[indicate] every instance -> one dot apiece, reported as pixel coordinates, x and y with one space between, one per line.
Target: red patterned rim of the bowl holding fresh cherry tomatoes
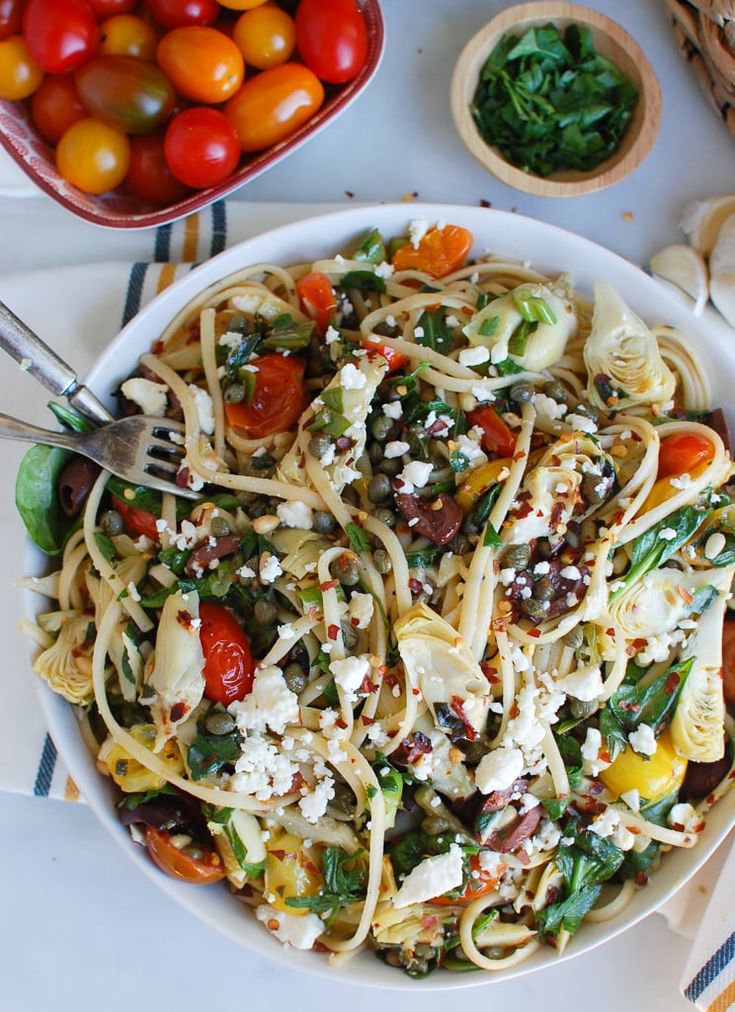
262 162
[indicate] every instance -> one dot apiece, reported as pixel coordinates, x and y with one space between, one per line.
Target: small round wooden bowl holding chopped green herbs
612 42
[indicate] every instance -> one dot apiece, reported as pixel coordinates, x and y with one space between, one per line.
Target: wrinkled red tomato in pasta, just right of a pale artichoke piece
229 666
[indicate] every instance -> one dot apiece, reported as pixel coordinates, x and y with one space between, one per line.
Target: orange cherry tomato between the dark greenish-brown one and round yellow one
204 65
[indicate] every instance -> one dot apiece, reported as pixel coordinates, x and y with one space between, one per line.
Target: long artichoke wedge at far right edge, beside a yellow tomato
698 729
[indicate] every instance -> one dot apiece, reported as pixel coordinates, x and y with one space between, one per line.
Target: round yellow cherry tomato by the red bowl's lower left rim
94 157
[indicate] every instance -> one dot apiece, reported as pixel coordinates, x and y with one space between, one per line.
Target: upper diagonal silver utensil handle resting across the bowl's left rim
45 366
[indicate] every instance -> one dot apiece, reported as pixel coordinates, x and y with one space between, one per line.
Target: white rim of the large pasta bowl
59 714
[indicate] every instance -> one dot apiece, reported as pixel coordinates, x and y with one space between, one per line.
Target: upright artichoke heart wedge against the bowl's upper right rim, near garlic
623 351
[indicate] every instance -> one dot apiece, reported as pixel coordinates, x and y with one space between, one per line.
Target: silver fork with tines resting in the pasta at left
138 450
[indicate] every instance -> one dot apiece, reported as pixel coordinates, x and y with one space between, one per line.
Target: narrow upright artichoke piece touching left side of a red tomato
177 679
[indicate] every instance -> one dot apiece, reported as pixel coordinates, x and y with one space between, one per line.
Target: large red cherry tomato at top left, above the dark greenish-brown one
61 34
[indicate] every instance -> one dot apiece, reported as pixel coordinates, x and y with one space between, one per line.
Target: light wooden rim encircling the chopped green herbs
608 174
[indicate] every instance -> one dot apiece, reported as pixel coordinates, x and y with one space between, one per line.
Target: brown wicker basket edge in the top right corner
705 33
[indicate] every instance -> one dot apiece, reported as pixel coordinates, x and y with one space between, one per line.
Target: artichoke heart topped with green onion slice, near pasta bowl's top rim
498 323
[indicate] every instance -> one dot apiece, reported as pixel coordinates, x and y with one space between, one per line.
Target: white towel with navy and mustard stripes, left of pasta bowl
85 285
